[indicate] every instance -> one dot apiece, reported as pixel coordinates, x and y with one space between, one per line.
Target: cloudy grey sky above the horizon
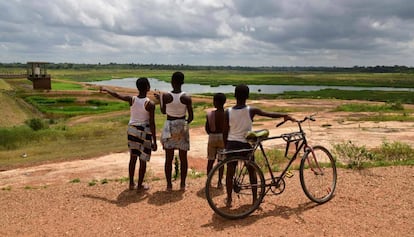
341 33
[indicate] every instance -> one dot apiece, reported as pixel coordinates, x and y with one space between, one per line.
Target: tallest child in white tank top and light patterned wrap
175 135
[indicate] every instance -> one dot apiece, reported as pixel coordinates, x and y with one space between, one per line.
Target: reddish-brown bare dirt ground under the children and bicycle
41 201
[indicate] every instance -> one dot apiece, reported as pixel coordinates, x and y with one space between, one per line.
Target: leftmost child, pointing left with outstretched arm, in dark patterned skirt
141 130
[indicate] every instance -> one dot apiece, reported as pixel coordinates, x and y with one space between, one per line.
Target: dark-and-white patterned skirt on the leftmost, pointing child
139 141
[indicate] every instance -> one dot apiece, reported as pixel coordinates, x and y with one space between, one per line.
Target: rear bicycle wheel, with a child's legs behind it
239 191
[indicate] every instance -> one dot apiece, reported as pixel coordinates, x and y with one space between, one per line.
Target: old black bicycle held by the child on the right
245 189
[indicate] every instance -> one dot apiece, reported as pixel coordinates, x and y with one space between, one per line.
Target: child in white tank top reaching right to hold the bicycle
238 121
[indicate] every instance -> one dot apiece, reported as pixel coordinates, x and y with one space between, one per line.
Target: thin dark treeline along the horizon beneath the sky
355 69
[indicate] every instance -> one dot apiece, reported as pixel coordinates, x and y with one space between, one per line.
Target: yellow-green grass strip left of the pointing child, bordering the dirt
59 143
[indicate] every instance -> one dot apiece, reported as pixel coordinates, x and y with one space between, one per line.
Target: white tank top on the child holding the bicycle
240 123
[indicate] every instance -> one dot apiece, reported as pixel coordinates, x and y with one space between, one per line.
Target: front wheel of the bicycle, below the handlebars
318 174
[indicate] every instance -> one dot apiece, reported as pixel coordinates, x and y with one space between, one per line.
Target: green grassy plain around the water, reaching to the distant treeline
74 120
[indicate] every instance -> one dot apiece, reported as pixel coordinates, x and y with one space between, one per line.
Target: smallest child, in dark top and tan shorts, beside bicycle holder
214 128
